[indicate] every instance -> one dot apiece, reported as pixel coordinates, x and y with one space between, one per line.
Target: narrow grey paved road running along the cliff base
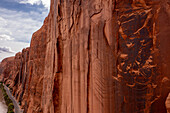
16 105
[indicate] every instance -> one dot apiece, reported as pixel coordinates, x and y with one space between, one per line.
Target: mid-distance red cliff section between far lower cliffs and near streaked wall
32 97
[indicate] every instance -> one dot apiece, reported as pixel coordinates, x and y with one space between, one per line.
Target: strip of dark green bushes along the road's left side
7 100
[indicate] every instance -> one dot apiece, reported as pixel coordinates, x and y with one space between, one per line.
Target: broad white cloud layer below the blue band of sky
16 29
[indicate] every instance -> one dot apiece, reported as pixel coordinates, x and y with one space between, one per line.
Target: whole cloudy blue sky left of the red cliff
19 19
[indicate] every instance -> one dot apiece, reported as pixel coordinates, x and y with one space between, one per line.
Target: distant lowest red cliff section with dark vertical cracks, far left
14 72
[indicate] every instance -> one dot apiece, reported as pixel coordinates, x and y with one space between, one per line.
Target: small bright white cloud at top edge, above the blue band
46 3
